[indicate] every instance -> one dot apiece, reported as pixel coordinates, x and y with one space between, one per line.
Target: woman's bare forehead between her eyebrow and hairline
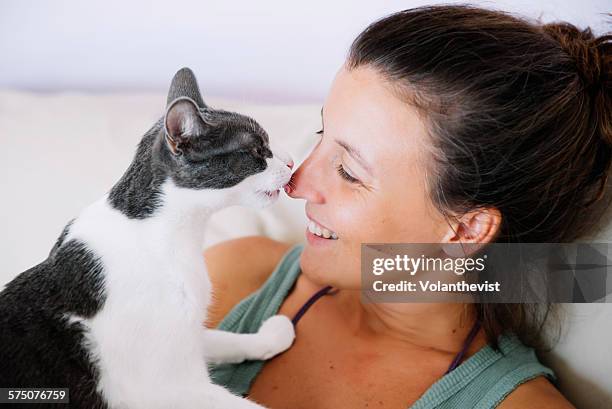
362 110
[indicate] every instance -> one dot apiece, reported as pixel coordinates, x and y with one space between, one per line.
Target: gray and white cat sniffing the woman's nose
116 311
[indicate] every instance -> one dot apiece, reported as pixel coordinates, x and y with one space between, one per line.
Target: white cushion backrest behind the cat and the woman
61 152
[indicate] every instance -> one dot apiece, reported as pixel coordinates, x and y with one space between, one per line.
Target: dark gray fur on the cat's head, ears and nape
198 147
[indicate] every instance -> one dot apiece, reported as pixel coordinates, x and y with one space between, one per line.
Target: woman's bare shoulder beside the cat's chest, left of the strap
237 268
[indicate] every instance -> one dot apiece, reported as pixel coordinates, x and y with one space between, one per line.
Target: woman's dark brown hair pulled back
520 119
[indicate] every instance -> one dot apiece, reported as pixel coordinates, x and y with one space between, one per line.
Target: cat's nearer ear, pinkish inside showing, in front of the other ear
182 123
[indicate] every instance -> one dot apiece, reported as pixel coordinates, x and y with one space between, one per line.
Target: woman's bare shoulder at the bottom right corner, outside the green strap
537 393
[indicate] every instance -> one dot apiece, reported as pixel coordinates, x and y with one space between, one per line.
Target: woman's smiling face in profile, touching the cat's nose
364 181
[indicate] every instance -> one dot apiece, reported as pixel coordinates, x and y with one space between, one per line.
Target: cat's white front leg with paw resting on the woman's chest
274 336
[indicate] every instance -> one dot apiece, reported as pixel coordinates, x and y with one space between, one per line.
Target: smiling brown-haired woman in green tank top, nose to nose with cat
446 124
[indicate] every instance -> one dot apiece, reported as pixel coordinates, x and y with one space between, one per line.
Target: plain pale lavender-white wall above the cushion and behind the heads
251 50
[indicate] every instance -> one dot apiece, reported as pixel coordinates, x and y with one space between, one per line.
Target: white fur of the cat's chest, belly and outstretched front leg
148 340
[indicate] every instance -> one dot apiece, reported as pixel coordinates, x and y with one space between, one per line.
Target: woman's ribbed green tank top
482 381
